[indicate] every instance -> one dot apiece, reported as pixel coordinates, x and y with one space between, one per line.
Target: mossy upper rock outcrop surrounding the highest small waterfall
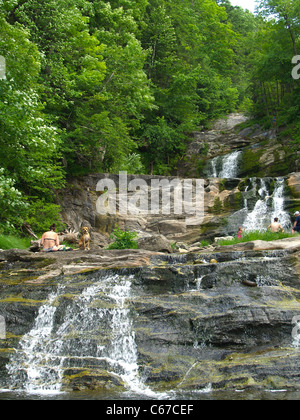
263 153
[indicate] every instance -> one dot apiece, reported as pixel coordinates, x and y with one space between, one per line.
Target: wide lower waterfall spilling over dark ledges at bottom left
95 326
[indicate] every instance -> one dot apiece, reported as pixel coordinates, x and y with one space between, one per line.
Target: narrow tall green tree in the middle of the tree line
125 89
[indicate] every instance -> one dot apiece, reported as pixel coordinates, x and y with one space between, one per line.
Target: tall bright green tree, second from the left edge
72 72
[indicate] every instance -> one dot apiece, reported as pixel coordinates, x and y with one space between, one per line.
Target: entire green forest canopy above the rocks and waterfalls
101 86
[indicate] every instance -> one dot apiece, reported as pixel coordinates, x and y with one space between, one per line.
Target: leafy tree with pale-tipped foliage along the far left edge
29 143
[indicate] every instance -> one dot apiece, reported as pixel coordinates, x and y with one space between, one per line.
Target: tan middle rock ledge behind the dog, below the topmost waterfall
223 205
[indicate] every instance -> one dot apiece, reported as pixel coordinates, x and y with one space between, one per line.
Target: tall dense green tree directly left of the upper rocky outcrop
189 64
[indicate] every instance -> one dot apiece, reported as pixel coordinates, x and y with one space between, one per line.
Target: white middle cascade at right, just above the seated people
267 208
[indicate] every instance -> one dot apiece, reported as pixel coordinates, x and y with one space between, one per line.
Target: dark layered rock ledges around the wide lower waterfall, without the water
196 324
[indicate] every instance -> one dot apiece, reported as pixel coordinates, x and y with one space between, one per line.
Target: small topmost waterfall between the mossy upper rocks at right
225 166
